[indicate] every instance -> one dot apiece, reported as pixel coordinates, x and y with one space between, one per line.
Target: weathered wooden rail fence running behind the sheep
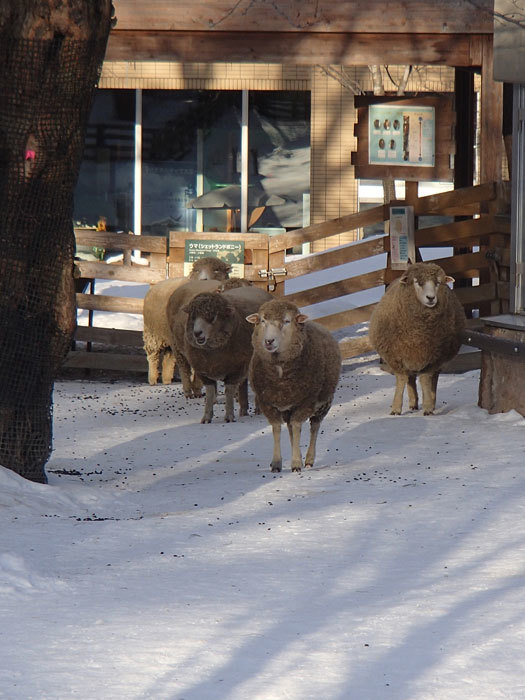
478 234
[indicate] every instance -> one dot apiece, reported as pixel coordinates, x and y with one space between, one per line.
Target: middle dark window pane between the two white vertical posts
189 137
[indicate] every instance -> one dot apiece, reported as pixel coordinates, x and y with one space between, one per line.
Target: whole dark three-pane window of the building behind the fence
191 145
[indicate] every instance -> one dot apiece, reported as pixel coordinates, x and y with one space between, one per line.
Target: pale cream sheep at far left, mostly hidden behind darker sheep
156 335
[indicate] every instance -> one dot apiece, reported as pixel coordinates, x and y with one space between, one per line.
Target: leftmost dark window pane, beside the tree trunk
105 183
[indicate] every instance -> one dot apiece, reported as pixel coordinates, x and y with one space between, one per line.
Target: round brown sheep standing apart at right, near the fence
415 328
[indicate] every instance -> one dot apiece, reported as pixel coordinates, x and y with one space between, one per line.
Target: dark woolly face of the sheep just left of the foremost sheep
210 321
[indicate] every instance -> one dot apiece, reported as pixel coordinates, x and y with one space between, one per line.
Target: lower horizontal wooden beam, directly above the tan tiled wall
291 48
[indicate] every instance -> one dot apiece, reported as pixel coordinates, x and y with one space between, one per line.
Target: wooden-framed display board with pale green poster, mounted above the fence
404 138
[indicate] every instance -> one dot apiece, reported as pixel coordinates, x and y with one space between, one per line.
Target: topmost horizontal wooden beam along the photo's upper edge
307 16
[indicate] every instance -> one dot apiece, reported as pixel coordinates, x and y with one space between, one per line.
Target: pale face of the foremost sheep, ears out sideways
278 328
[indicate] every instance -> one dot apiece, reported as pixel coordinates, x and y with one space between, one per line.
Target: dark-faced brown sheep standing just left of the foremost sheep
210 335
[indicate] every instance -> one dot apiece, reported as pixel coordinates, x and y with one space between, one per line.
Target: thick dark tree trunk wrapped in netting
50 58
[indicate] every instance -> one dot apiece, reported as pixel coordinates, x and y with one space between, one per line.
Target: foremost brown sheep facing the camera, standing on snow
294 371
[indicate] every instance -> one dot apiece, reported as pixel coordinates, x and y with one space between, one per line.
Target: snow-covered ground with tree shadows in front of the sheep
165 561
